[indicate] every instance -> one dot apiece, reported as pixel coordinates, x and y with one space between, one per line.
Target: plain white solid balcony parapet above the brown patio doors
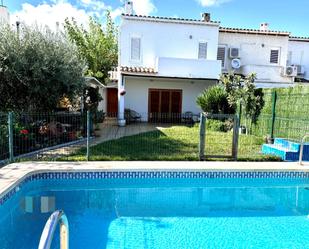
188 68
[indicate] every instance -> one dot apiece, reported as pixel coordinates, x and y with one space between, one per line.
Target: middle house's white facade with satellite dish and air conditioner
261 51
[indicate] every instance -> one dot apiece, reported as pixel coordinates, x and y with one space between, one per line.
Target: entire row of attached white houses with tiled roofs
165 63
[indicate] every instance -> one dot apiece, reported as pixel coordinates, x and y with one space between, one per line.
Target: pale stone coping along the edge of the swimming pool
12 175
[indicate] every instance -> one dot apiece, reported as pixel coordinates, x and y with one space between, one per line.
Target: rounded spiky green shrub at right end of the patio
214 100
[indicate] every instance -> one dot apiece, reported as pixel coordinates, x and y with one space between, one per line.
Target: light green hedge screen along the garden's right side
292 114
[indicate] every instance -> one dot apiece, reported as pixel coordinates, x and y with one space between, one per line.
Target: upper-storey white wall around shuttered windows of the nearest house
165 39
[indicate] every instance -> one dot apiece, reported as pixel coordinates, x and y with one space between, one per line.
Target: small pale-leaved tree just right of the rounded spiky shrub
243 92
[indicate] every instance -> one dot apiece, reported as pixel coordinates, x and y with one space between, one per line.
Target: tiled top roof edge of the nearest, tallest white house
170 19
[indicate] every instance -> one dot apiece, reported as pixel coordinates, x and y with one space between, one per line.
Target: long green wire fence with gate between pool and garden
74 137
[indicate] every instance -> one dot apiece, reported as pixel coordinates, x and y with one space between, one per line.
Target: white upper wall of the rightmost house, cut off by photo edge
300 55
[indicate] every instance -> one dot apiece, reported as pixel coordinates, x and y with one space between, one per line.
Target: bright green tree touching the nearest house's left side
96 45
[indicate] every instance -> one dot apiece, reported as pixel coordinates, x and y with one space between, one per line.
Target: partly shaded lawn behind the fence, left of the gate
154 145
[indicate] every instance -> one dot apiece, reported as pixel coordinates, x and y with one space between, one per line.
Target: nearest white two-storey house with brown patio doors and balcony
164 64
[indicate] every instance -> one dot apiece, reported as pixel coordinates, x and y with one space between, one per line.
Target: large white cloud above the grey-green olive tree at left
50 14
